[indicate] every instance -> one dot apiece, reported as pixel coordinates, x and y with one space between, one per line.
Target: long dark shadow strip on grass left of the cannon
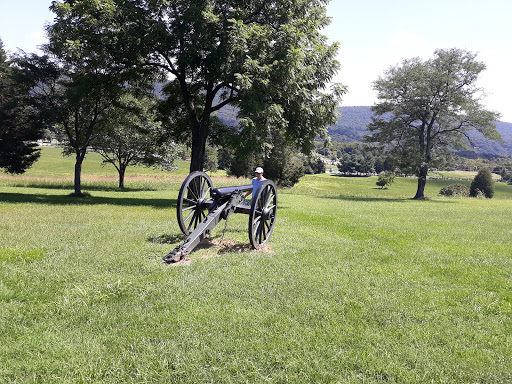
88 200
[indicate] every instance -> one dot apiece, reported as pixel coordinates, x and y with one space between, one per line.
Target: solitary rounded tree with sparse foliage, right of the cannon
426 107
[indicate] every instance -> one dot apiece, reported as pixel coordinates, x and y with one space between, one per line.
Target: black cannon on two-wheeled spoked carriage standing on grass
201 207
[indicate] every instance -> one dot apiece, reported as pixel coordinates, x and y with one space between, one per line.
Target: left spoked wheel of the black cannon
193 201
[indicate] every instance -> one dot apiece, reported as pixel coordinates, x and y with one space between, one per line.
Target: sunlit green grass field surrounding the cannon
358 284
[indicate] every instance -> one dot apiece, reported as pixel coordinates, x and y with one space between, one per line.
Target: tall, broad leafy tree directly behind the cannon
265 57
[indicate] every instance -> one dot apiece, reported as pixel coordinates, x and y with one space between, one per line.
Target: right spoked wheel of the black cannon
263 214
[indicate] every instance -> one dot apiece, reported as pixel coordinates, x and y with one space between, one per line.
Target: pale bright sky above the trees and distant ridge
373 35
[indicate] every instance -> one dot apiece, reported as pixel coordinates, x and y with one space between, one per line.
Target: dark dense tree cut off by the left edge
18 132
